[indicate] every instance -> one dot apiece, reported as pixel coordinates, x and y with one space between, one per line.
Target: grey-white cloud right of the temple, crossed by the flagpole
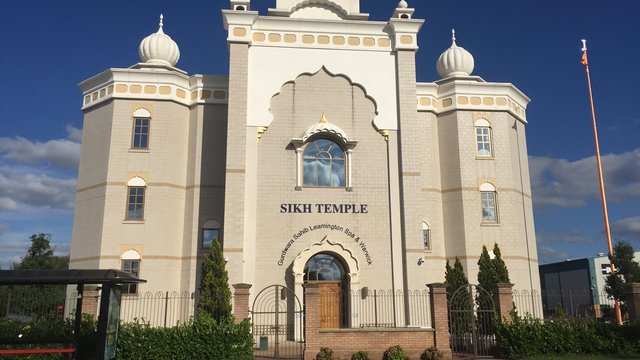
563 183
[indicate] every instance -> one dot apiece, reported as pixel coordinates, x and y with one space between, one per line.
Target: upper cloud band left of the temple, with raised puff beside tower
61 153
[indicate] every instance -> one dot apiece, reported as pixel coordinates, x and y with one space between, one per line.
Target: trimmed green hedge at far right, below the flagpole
527 337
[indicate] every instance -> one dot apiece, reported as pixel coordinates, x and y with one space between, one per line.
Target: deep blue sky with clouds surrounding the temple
50 46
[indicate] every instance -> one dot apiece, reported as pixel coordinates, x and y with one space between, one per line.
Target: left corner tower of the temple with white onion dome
144 169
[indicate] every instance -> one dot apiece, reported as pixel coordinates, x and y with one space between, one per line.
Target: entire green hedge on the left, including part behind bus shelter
202 338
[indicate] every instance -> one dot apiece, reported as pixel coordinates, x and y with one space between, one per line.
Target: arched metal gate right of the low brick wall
471 314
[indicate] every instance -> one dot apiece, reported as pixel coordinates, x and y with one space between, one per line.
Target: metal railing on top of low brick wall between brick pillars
367 308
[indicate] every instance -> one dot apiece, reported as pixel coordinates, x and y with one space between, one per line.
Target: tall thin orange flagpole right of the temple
603 195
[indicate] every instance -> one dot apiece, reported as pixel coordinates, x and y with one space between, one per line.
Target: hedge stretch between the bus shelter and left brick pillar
203 338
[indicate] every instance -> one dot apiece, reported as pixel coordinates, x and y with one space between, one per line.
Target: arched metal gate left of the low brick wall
277 324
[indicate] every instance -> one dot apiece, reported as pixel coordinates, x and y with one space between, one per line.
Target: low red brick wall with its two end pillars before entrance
344 342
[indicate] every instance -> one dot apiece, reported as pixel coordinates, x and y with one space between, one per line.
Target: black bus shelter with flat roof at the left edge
111 281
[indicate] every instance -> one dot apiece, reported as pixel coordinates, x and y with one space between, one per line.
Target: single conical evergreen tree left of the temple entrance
215 295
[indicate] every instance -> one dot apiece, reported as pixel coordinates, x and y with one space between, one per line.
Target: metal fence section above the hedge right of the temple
572 304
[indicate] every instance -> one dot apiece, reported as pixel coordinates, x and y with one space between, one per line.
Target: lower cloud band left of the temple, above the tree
17 190
